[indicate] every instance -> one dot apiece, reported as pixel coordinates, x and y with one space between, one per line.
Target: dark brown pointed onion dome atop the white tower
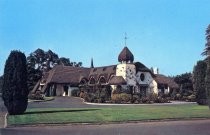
125 55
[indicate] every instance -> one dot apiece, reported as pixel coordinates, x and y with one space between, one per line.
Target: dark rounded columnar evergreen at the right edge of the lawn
199 74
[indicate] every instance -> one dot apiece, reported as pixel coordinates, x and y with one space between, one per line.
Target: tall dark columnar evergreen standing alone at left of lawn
15 90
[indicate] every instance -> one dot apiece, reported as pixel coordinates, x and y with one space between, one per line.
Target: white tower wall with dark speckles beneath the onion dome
128 72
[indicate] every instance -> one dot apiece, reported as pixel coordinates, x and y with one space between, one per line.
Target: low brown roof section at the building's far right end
161 79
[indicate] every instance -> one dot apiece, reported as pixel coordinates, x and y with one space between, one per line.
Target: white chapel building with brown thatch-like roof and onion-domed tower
127 75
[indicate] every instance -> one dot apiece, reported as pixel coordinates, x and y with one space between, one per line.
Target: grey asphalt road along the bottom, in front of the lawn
196 127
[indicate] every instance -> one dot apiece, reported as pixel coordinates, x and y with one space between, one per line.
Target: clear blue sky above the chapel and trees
168 34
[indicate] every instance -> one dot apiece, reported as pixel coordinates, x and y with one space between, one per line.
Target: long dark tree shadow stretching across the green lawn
56 111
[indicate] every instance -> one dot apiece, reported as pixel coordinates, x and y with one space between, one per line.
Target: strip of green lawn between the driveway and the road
111 114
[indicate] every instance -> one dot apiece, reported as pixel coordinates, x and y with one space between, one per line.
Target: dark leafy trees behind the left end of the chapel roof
41 61
